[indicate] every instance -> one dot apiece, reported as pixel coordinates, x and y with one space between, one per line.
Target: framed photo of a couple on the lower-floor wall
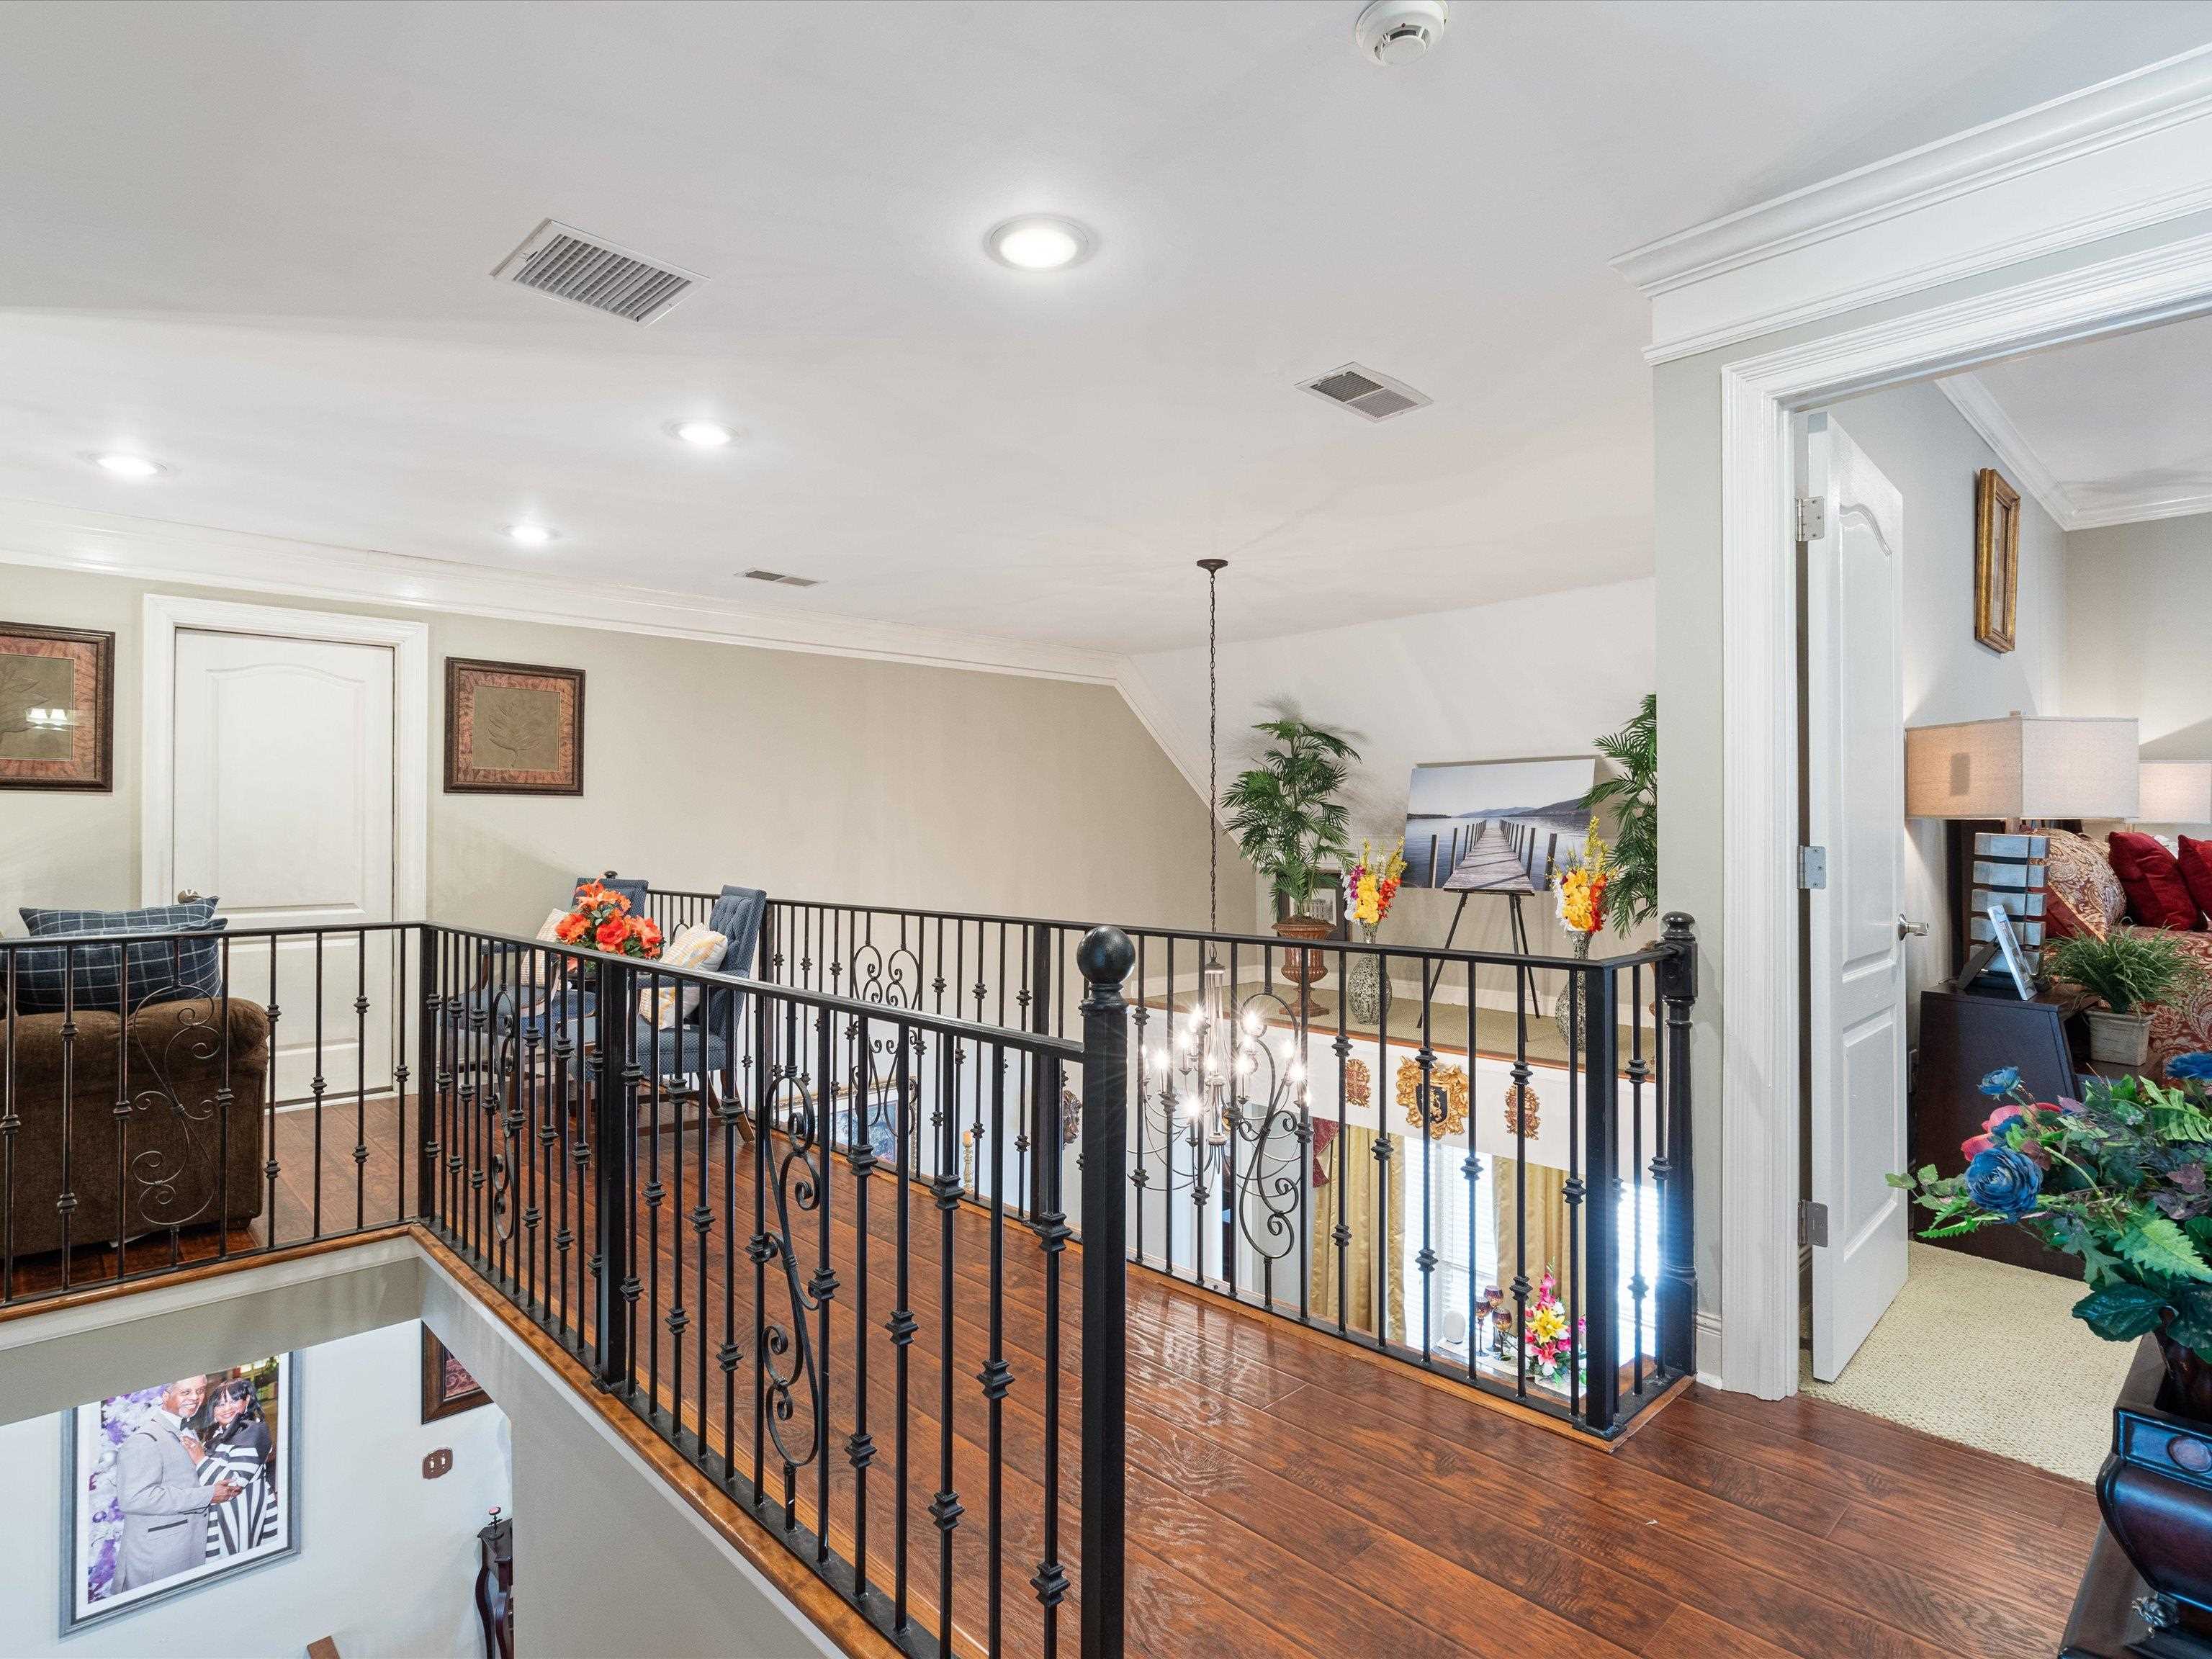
178 1485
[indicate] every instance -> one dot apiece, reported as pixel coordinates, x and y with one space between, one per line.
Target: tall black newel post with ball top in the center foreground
1105 961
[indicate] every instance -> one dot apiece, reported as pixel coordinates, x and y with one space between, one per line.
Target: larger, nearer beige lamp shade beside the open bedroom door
2023 769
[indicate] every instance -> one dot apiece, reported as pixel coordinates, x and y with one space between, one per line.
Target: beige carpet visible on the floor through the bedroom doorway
1987 1355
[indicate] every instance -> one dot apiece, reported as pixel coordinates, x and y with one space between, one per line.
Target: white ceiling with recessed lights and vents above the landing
253 242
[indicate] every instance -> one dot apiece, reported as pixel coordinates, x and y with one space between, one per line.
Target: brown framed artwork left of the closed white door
56 709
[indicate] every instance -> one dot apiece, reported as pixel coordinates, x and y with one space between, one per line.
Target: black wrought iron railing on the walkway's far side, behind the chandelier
1477 1162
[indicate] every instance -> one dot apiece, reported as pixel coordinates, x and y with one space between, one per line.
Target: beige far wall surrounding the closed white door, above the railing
808 775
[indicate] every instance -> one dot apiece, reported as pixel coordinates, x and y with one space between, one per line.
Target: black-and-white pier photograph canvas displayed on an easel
1494 826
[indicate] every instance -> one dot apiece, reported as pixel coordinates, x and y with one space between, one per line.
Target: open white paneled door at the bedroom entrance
1855 764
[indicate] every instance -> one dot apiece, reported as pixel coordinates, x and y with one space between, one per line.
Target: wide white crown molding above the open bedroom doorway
2114 158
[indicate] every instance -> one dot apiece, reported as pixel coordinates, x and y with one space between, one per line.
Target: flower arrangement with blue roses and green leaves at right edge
2118 1180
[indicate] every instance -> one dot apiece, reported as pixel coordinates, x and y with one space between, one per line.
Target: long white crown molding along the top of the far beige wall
65 539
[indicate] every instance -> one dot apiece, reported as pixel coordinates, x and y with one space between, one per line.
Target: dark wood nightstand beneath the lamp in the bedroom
1963 1039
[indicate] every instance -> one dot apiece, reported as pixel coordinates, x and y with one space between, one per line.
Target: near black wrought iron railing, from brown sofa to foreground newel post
775 1224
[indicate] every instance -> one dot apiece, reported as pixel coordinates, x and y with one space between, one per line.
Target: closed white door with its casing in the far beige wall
284 775
